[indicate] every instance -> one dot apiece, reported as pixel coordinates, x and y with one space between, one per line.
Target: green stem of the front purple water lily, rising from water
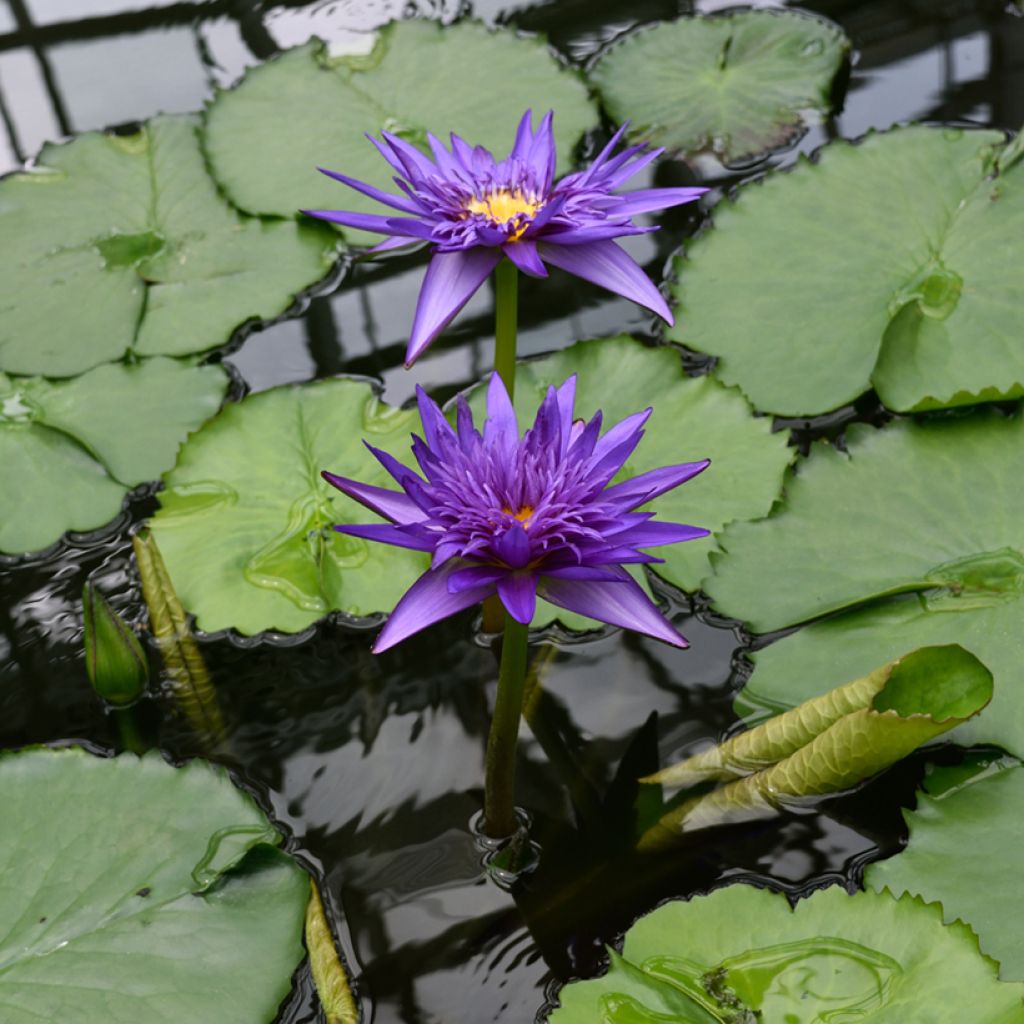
499 784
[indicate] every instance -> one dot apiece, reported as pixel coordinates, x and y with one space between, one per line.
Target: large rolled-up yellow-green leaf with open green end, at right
830 744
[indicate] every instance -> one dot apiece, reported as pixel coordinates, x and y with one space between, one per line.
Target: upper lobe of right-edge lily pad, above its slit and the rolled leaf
925 507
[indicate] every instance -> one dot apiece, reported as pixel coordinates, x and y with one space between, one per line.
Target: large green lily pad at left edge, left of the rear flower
120 244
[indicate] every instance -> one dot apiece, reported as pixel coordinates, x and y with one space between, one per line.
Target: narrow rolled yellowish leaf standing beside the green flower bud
190 682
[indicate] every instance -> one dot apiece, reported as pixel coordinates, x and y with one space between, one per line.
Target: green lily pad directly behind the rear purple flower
420 77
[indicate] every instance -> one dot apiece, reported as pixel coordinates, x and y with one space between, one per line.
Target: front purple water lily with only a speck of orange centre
523 518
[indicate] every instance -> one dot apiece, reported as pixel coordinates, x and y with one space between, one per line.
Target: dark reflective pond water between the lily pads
374 765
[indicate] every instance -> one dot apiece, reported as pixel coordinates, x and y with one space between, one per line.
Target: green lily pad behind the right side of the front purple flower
695 418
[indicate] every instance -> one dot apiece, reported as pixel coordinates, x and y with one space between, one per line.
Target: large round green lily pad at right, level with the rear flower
894 277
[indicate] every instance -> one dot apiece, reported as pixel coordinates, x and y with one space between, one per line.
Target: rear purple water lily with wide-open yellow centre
475 209
